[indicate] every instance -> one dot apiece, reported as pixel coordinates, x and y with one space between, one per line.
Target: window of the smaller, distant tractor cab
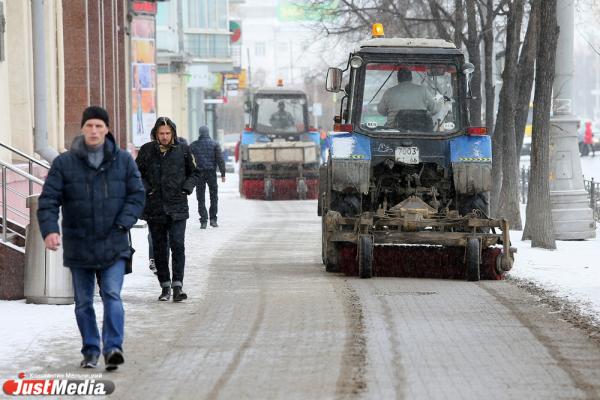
280 115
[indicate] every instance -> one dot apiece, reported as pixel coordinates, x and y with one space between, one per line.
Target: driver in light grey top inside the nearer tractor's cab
408 105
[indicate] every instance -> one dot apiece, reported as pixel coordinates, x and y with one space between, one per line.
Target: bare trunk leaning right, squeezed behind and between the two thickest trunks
526 71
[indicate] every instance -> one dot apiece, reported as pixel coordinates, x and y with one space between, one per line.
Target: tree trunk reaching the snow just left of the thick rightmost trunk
508 201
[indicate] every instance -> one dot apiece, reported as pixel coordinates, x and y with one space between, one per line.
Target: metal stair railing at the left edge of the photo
5 189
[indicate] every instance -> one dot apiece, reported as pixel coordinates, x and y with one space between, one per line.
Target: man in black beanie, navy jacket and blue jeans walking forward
99 189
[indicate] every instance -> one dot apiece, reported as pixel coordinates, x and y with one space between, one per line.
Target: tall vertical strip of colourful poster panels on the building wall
143 78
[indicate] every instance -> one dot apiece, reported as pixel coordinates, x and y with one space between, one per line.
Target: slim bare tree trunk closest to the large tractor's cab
472 43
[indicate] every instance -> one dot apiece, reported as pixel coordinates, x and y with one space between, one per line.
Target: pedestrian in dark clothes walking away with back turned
208 156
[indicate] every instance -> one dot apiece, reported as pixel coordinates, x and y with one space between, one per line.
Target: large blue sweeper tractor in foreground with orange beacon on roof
406 186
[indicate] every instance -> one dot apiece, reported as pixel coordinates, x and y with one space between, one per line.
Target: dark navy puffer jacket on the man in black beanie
98 205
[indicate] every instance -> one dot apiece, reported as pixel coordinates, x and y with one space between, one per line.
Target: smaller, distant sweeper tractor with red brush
279 152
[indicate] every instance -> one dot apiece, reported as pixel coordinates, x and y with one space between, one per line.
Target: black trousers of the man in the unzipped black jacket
171 233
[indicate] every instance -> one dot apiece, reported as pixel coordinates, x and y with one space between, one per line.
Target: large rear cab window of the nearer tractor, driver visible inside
410 98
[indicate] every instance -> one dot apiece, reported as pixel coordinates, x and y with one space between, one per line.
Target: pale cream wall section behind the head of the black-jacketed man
172 102
